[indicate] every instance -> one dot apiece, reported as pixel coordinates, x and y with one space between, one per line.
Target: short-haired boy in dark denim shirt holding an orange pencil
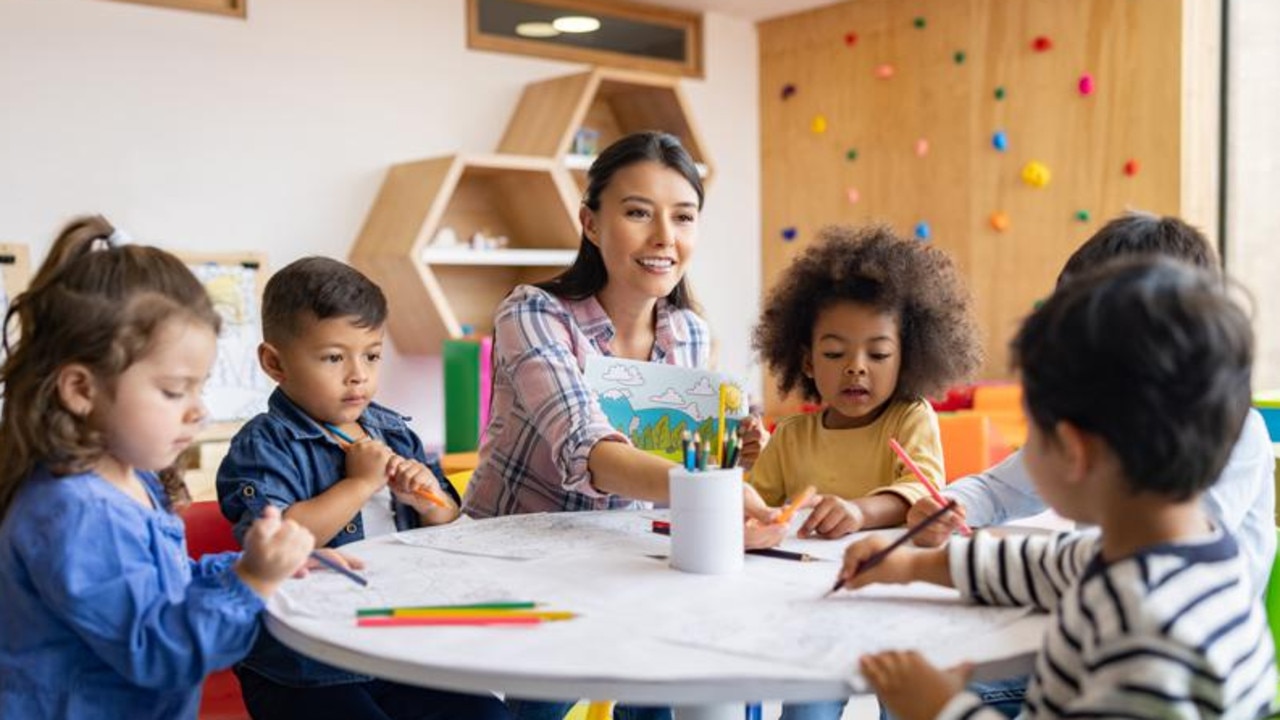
323 343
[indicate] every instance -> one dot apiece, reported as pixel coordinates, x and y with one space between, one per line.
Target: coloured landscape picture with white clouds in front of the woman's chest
655 404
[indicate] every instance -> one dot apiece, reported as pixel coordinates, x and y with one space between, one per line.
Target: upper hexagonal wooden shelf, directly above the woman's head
611 102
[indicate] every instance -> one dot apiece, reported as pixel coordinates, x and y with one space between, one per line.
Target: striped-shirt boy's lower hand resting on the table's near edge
909 687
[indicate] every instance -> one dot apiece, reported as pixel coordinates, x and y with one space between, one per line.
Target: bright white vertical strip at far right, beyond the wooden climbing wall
1254 172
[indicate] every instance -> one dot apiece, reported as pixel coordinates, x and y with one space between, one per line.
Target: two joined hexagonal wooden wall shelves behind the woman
531 193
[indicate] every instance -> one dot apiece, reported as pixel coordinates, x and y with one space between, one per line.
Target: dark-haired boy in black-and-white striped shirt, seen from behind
1137 382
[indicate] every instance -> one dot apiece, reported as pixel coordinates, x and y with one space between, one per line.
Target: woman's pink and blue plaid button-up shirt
545 421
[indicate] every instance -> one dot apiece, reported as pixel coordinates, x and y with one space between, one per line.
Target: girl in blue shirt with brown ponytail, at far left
104 616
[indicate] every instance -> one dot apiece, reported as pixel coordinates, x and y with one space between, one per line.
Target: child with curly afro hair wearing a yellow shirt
868 325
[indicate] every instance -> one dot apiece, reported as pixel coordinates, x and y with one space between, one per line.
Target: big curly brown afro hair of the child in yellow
913 281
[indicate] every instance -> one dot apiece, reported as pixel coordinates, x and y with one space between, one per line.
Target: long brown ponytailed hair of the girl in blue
97 304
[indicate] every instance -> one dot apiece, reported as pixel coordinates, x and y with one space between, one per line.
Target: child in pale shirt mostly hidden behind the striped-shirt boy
1242 500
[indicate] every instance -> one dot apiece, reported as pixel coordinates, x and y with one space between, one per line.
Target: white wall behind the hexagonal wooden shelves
200 133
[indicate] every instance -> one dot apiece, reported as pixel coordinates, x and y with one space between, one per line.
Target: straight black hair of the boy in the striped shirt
1151 356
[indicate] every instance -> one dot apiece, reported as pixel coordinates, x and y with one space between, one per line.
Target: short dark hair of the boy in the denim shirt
323 289
